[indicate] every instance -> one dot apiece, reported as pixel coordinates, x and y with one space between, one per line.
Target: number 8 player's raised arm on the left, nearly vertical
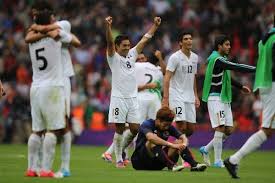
109 37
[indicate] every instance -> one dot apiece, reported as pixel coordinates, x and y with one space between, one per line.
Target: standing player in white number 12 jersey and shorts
180 90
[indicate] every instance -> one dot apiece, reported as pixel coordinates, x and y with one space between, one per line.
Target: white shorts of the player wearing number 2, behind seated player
149 104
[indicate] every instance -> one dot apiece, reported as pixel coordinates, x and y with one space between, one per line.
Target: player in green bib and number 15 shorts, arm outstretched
217 93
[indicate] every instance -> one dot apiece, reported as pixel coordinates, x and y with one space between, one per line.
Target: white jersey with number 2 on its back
147 73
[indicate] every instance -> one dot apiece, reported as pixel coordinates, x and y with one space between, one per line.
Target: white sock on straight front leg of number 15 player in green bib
217 143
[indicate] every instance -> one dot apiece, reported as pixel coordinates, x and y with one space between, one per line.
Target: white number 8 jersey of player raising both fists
124 84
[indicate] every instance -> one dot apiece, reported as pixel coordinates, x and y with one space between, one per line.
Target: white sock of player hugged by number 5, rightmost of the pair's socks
66 151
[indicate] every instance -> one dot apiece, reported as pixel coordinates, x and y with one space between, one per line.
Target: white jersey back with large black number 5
46 63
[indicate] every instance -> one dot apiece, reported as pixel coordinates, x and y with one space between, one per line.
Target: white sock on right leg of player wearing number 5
48 151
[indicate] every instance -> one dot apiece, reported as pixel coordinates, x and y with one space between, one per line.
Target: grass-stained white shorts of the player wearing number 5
47 108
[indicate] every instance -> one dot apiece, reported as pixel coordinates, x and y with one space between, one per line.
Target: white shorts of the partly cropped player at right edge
268 100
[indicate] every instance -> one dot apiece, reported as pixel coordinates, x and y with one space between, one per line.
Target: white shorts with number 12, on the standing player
185 111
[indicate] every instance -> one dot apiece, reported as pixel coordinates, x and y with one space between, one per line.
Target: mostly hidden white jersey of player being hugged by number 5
66 57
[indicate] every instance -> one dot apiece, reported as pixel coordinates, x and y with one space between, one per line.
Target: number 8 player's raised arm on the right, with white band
148 35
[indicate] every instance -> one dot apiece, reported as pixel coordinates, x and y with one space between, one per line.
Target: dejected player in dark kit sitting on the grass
154 152
